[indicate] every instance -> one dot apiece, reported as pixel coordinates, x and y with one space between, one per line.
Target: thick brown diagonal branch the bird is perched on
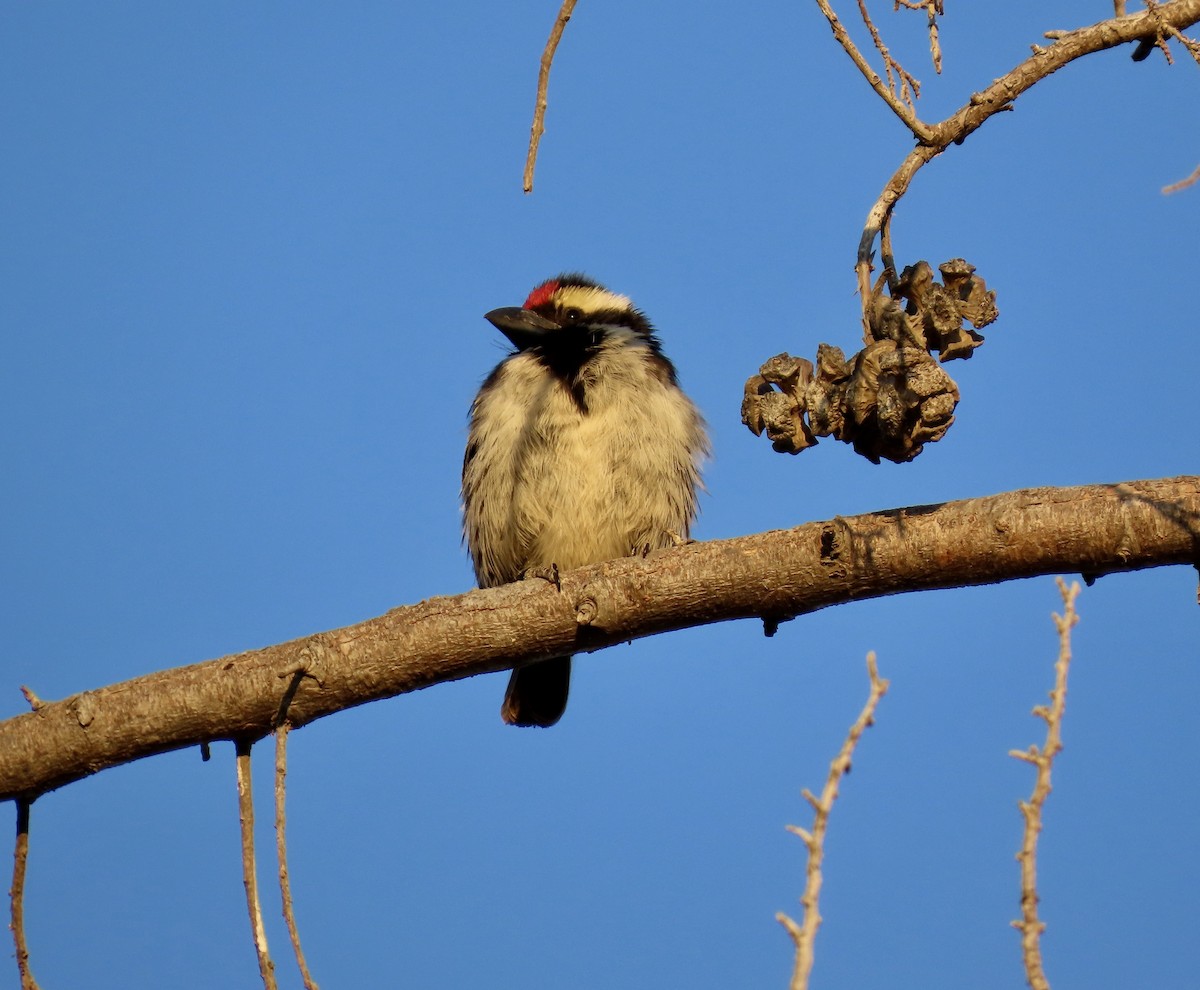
776 577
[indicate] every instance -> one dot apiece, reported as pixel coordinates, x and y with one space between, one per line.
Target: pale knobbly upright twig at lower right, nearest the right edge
1030 925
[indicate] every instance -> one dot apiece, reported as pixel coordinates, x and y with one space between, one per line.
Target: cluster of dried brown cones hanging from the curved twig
892 398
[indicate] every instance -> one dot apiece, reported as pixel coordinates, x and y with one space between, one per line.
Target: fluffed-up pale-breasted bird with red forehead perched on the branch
581 448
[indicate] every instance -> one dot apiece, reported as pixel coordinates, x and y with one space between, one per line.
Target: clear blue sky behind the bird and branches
245 259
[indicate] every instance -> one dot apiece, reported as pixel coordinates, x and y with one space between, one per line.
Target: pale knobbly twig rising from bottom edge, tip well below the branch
805 934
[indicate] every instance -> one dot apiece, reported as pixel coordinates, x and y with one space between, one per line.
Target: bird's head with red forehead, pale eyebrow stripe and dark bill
573 314
